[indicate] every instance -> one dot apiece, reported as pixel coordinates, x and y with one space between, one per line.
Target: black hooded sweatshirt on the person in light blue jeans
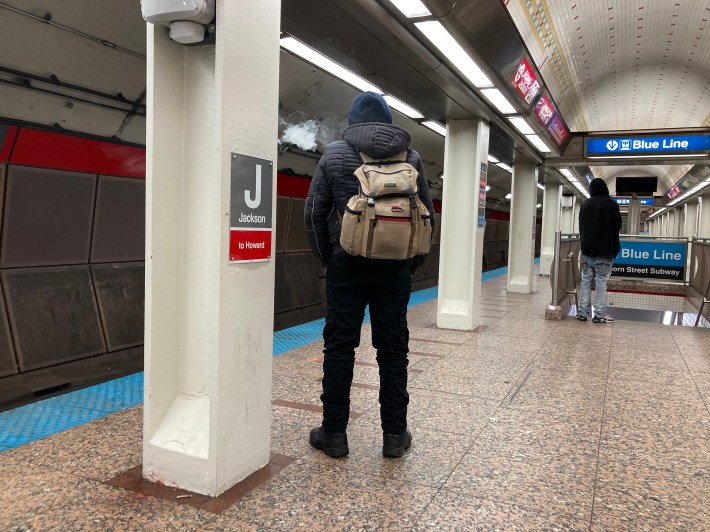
599 222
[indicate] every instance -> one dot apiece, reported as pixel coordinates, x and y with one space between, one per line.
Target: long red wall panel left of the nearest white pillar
65 152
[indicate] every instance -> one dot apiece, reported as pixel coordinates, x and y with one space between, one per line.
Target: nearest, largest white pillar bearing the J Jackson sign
208 323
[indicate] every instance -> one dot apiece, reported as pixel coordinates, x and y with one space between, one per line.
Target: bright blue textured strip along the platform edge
56 414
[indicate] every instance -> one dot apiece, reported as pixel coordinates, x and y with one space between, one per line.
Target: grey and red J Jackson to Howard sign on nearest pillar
251 203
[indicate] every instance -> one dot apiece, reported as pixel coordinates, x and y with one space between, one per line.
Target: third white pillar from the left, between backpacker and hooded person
521 238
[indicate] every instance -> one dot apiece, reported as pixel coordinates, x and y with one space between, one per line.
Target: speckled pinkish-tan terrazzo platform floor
524 425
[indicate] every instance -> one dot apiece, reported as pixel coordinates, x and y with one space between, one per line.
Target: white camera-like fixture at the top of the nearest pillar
190 21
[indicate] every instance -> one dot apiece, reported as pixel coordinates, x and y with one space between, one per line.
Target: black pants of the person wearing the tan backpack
352 283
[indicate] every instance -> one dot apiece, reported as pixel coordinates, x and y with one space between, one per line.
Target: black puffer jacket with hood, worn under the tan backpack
334 182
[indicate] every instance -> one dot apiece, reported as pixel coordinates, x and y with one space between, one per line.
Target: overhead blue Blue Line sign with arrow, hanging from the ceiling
659 144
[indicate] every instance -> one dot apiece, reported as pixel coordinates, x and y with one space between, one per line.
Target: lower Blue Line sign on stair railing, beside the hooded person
651 260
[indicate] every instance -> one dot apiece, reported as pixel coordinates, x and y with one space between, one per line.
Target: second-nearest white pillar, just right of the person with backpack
461 254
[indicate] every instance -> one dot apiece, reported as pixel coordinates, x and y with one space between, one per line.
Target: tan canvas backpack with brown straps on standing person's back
386 219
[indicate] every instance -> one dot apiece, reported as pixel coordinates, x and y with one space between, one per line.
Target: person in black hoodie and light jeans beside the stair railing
599 226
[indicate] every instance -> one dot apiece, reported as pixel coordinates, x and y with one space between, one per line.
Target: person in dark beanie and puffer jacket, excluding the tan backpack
353 282
